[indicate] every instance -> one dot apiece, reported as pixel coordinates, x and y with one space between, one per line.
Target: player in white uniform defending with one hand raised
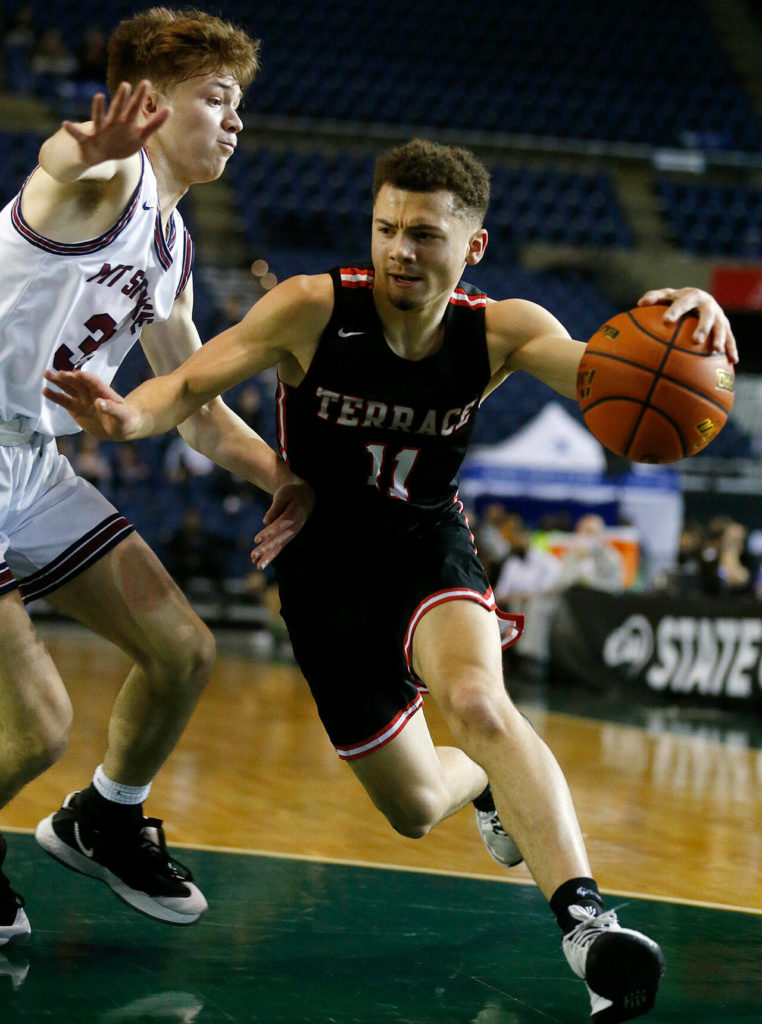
96 257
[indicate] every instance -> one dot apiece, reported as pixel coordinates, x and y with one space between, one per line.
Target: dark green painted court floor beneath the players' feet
290 942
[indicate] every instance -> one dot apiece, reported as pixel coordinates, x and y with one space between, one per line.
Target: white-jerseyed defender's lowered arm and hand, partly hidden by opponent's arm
222 436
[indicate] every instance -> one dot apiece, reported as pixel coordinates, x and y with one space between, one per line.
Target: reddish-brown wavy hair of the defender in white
171 47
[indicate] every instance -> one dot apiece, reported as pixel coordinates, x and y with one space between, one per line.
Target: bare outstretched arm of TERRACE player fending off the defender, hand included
282 329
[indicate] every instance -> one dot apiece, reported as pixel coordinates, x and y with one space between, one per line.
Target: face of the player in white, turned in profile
201 136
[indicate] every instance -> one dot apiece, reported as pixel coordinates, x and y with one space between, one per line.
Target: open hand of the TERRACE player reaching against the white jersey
93 405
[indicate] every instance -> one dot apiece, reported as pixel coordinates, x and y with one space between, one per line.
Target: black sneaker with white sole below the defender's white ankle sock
136 865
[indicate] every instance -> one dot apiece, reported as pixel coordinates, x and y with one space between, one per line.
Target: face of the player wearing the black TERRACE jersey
421 245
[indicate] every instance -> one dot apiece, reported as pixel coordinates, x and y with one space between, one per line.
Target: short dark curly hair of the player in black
425 166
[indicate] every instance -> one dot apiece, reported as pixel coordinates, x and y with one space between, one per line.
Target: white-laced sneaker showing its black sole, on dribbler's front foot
621 968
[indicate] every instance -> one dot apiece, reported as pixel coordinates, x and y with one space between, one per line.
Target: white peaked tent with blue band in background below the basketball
555 459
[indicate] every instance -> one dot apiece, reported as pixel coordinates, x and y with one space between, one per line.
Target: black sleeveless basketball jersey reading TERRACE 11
373 433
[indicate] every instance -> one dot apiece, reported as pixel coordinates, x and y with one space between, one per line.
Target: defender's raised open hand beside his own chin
116 132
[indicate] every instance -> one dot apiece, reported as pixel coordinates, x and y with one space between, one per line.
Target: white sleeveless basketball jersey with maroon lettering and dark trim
69 307
